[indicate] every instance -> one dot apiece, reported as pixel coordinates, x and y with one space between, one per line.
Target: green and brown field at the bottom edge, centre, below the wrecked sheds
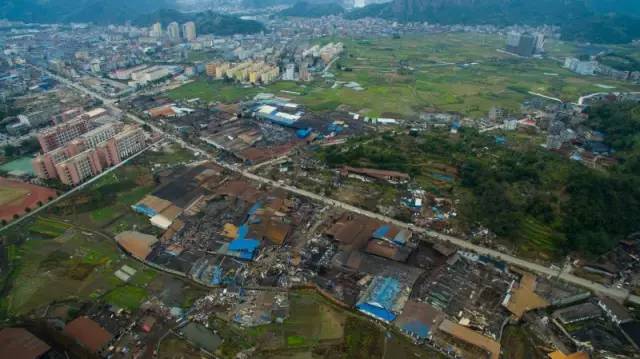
317 326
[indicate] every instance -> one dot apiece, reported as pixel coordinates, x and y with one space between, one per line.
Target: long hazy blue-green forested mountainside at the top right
602 21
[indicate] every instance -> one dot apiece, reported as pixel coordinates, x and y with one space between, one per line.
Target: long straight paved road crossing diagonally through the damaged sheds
461 243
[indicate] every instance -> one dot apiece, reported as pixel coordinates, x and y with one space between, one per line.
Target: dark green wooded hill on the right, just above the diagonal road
526 195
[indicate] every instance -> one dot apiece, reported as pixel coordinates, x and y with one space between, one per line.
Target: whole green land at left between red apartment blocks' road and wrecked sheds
67 253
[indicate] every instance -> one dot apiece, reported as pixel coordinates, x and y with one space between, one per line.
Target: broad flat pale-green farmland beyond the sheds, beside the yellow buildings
447 72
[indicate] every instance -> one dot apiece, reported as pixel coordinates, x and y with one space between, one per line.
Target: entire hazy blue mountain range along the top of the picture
598 21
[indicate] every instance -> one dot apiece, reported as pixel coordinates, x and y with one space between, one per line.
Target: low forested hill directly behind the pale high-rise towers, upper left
206 22
